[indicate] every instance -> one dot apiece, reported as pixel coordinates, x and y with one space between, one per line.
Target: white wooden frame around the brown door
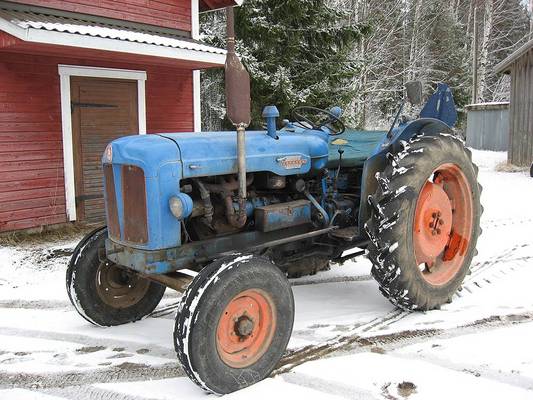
65 72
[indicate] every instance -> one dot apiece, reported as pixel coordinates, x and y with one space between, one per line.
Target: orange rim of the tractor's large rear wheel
443 224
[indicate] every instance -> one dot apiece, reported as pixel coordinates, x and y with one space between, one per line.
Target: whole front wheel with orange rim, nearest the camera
234 323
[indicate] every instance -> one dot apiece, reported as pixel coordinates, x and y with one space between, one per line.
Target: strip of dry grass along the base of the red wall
45 234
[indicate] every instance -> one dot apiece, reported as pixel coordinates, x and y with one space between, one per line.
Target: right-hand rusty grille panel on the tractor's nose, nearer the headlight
134 199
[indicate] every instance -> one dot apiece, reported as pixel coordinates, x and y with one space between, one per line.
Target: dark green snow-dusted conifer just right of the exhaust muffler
297 52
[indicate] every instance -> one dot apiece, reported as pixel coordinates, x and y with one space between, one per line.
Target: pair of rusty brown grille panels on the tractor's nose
133 204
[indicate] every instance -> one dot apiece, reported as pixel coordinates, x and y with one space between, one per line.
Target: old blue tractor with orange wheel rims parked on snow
241 212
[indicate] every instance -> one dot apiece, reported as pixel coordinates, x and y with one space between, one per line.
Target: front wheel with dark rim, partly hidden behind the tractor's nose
103 293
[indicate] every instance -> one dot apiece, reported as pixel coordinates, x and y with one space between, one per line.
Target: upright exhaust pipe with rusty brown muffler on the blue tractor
238 109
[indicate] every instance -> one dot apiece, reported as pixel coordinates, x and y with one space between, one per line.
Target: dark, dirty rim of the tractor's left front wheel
119 288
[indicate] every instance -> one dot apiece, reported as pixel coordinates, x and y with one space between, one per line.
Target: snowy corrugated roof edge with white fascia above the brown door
26 25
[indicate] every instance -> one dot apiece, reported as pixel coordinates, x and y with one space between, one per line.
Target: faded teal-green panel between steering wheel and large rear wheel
358 146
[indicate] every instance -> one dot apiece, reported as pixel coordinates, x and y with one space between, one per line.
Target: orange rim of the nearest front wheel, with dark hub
246 328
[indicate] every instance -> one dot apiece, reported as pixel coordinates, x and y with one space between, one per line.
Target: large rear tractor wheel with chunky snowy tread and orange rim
425 222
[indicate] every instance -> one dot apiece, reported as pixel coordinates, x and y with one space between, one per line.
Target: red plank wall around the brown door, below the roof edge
31 155
